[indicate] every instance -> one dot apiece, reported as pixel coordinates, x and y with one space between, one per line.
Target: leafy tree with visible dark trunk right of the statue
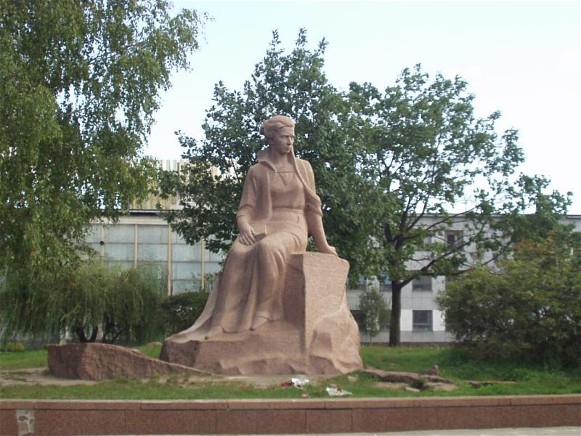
437 179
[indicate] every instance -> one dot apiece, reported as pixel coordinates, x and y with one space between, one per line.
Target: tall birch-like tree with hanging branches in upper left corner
79 86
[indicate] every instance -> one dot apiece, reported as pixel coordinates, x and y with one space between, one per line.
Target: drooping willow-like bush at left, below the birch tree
121 302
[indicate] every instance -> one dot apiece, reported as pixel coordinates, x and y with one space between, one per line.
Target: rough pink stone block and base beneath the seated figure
317 336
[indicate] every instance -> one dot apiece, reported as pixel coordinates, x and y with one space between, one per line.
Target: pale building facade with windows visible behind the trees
143 237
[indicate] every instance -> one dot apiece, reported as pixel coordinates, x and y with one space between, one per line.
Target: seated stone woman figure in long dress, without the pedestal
279 208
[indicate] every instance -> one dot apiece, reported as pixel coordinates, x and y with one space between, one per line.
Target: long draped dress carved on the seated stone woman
251 283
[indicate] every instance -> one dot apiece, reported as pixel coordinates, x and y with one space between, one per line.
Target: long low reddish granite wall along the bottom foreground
293 416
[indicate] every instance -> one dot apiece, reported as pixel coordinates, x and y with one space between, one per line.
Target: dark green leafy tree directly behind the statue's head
293 84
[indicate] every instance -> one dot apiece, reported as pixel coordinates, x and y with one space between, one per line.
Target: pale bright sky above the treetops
522 58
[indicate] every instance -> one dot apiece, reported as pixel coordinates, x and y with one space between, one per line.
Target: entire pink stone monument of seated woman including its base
260 317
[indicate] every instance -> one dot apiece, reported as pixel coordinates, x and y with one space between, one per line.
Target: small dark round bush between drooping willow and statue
180 311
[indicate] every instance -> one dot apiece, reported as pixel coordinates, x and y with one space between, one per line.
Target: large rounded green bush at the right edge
529 308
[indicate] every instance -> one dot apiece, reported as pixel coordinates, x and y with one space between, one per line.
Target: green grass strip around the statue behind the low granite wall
512 378
